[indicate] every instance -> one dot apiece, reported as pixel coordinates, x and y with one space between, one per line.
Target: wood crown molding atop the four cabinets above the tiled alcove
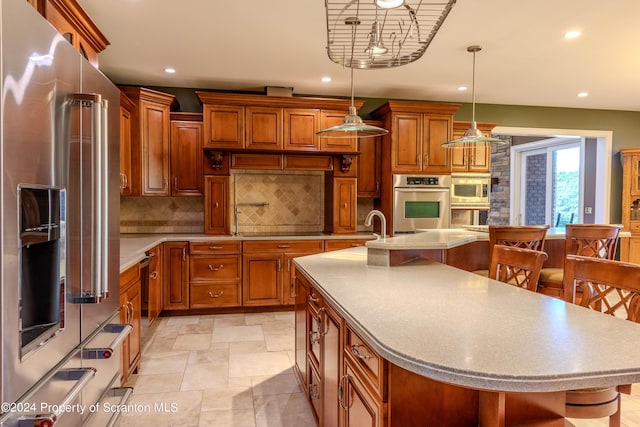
224 98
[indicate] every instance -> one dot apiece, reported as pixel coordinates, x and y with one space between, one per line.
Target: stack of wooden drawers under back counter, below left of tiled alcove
215 270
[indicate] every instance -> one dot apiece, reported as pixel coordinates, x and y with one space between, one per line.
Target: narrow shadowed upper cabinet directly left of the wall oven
369 166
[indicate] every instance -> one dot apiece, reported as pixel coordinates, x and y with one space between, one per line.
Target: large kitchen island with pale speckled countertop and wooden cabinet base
458 348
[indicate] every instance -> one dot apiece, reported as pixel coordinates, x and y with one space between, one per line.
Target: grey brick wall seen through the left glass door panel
536 182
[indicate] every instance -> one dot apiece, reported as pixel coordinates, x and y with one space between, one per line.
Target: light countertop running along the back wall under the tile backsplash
134 246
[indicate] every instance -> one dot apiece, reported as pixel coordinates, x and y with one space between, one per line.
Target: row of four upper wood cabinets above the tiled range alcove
271 123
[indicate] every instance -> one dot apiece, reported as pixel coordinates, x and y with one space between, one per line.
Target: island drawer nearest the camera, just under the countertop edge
369 364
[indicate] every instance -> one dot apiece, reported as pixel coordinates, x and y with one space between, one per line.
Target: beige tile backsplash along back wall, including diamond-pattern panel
294 202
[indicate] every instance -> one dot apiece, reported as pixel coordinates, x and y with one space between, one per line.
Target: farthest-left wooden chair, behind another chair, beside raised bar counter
528 237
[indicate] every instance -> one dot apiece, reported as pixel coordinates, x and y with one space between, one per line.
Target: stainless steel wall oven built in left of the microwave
420 201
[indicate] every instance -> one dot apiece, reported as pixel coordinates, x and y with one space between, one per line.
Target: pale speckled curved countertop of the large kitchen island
457 327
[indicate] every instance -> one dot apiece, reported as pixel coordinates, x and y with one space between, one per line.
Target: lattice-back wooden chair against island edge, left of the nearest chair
516 266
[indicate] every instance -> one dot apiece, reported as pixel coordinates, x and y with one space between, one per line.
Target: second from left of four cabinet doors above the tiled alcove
263 128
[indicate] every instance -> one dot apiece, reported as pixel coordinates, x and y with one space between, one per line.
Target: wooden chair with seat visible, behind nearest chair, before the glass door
592 240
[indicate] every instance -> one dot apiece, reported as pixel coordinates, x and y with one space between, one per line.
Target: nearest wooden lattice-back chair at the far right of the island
613 288
